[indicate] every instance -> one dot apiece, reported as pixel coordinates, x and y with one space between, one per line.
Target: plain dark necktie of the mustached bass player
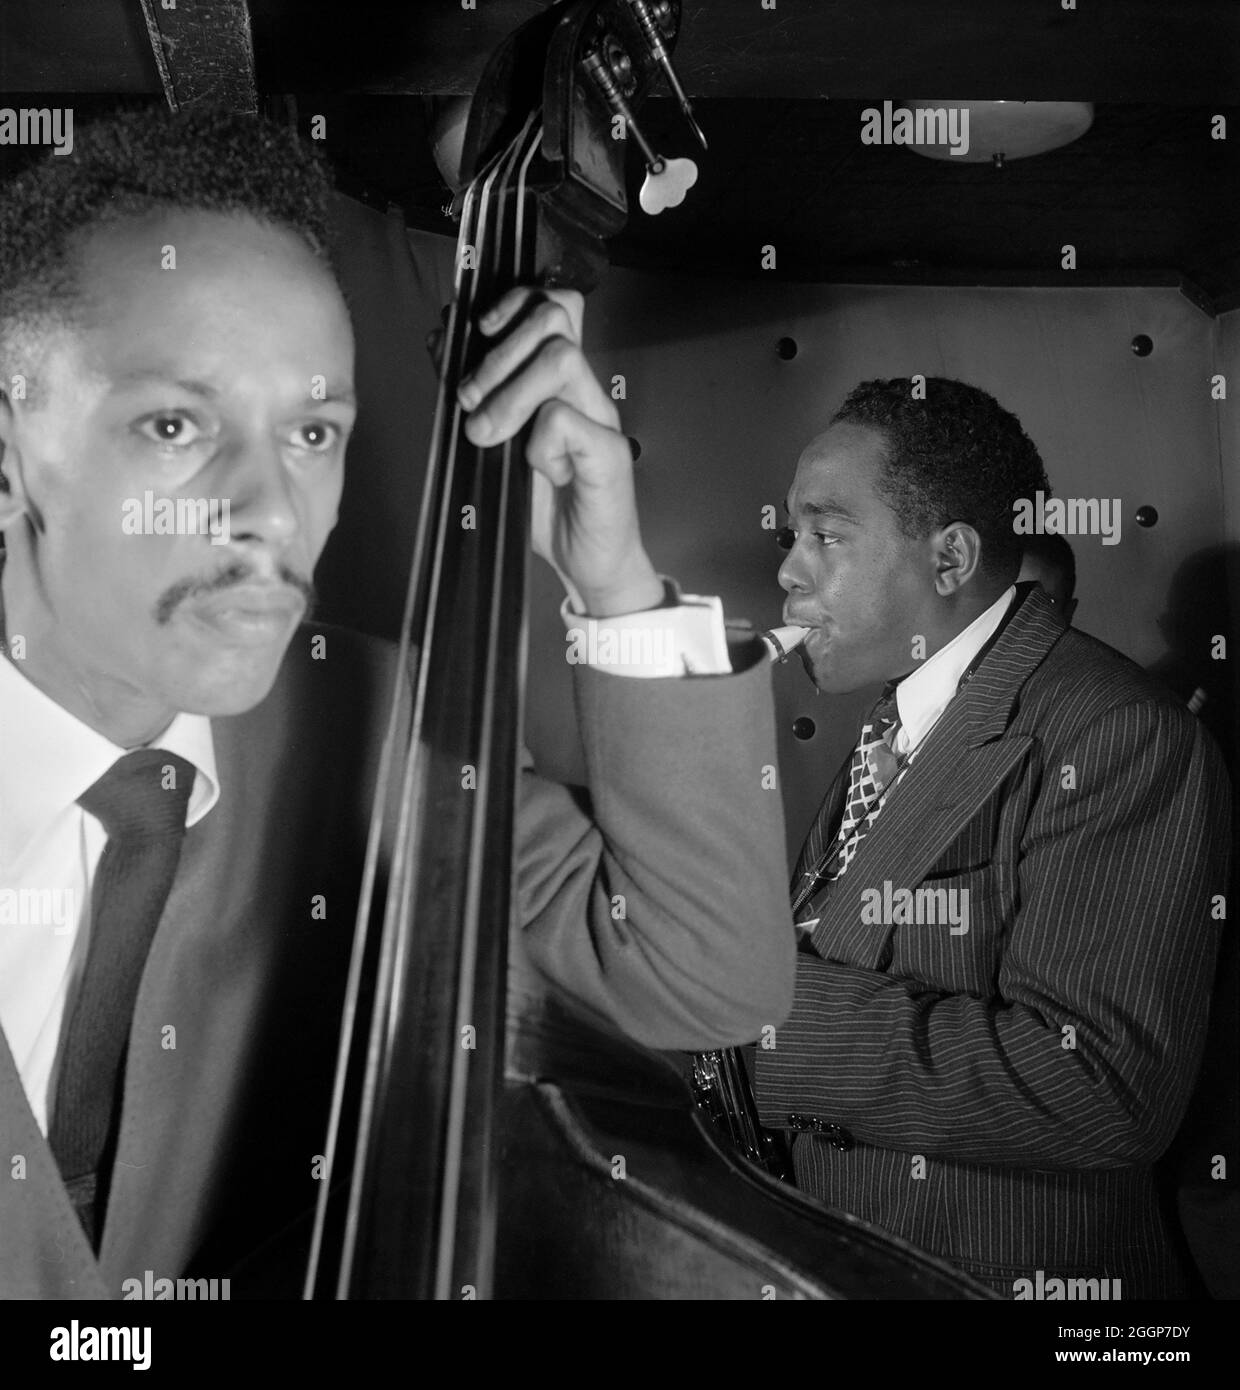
141 803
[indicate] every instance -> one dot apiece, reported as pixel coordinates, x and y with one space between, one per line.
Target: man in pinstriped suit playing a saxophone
1010 903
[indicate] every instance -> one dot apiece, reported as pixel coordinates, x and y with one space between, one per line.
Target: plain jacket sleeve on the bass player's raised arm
655 897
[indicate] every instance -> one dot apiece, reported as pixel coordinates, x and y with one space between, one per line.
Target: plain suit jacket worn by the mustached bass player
219 1134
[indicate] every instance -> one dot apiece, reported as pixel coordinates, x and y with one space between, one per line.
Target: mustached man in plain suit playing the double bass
187 767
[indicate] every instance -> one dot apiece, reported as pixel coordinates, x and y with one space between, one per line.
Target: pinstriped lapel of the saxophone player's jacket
965 758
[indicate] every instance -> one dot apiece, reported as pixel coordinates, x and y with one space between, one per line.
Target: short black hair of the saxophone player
953 457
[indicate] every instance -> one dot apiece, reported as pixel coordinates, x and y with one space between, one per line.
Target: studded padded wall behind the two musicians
722 419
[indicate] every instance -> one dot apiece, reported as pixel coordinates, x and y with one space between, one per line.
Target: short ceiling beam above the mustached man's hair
204 52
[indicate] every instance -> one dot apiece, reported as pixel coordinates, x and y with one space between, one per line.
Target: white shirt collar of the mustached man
49 758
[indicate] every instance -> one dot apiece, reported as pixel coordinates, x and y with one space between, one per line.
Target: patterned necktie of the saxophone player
874 768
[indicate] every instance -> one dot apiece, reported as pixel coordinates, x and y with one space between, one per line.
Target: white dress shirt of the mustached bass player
49 851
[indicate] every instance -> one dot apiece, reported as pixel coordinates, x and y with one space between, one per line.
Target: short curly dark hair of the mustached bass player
140 162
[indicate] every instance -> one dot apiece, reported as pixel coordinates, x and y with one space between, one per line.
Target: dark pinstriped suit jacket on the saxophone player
1042 1061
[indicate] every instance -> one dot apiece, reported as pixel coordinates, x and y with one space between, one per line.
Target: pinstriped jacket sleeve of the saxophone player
1086 1056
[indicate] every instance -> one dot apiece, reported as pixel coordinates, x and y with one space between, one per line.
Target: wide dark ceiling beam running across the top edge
1174 52
